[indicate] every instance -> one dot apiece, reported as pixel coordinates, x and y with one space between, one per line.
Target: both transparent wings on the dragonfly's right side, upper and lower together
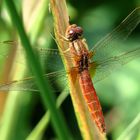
114 50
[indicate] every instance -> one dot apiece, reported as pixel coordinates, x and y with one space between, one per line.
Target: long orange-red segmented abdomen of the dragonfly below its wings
91 99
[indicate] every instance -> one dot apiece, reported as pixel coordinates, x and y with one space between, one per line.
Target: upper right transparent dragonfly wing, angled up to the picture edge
114 43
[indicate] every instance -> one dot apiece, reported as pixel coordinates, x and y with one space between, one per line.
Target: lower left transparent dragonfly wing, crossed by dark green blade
29 84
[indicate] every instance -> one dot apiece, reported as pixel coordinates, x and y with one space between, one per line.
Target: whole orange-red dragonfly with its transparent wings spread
106 55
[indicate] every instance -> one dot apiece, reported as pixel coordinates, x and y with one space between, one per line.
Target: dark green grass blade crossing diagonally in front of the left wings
46 94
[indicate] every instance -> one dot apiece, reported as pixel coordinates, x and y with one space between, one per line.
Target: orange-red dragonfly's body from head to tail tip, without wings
81 60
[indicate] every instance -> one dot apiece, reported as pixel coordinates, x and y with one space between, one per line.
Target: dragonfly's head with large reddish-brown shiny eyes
73 32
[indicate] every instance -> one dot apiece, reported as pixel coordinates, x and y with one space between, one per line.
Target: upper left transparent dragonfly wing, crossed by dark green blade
46 55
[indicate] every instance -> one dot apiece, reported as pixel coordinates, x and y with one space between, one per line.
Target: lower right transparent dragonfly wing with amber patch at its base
105 67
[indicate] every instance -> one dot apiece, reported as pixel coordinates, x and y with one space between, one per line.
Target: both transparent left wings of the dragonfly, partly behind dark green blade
50 61
